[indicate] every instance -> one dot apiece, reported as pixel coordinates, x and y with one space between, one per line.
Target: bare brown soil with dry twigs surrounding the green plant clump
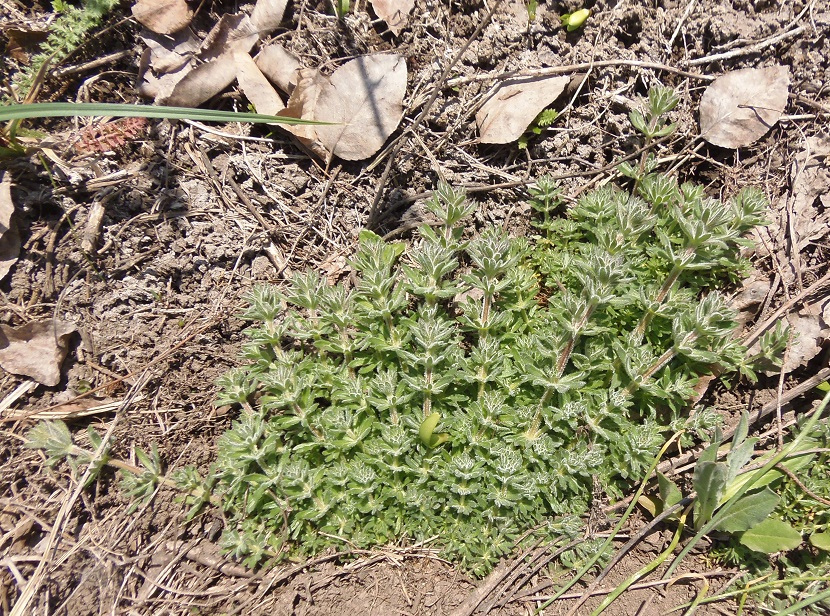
155 301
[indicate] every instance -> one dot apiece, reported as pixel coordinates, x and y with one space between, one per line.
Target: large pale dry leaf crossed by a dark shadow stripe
365 98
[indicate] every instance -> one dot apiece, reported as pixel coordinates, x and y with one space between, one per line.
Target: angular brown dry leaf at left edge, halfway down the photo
36 349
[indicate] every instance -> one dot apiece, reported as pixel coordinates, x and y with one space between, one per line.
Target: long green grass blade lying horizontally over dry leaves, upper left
53 110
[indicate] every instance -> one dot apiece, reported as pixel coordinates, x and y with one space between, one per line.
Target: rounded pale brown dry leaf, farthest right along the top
739 108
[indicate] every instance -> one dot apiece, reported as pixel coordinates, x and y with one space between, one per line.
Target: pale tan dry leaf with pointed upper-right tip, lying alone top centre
514 105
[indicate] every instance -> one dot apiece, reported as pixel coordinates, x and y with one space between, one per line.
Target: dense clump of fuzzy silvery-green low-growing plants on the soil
471 390
